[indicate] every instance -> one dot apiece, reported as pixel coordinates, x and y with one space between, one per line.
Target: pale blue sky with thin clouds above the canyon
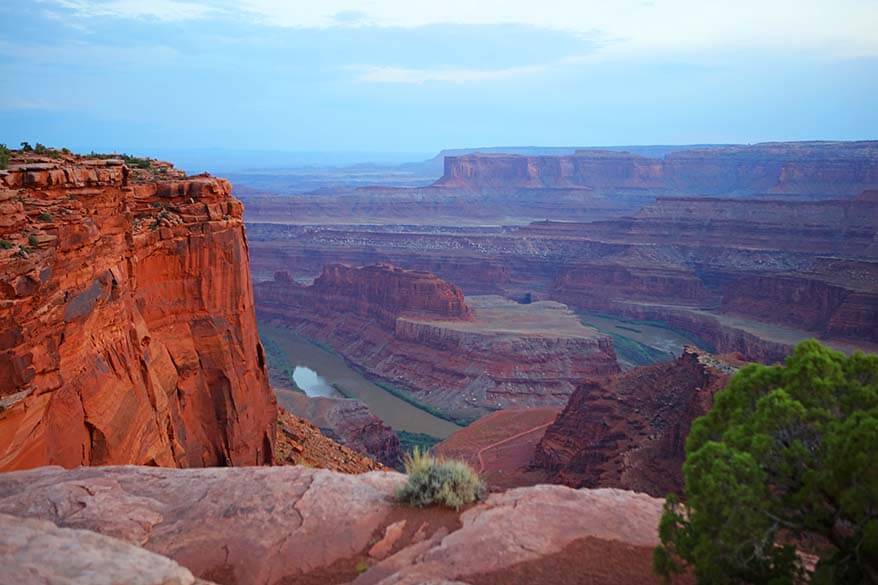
389 78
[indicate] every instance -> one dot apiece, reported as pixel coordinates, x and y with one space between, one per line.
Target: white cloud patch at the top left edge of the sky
164 10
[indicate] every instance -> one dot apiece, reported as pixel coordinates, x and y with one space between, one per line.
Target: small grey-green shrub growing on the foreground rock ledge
436 481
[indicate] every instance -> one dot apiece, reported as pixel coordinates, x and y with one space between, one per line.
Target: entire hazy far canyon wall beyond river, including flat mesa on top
748 248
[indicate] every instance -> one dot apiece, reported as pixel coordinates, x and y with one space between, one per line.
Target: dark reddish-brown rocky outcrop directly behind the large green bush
630 432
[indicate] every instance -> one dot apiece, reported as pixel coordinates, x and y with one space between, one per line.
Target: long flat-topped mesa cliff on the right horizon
819 168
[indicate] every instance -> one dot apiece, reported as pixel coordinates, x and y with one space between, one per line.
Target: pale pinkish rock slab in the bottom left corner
36 552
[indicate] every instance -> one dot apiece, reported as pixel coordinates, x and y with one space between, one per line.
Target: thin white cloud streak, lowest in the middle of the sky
413 76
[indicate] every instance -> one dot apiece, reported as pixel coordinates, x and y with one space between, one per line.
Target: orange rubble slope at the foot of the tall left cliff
299 442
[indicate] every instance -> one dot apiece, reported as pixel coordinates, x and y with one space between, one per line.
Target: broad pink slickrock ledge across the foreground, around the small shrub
297 525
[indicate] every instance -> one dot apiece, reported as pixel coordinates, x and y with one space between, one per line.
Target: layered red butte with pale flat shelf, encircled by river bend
464 357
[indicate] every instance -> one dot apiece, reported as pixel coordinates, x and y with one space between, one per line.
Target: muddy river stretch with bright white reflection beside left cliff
319 372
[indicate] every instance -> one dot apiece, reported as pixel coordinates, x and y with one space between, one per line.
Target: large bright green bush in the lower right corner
786 458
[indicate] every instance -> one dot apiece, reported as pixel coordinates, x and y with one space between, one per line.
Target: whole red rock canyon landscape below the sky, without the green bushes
129 351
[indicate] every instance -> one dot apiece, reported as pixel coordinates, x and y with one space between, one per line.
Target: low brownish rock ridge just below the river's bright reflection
350 422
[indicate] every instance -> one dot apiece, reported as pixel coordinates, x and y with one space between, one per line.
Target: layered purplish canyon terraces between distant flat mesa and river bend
752 276
